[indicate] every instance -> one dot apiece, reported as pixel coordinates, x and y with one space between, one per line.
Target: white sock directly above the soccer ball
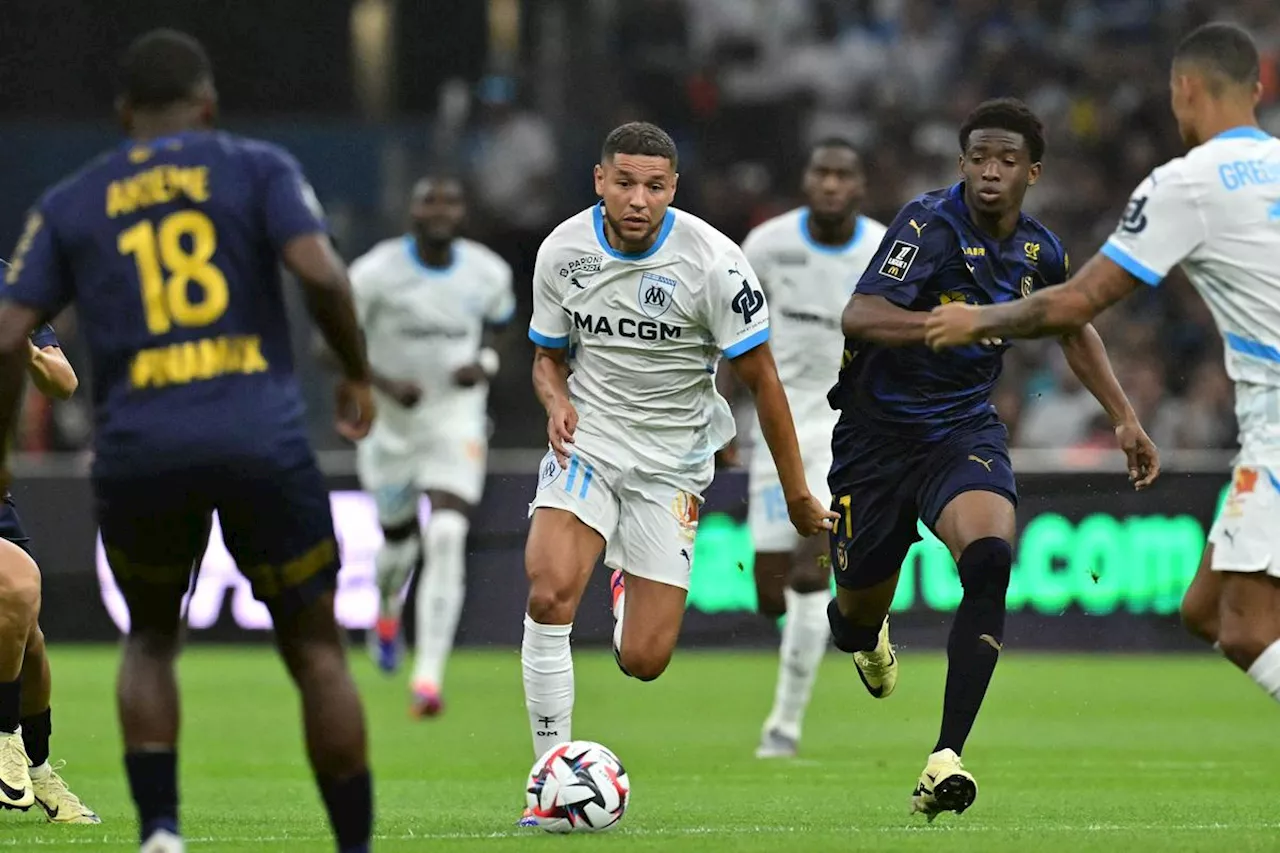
548 665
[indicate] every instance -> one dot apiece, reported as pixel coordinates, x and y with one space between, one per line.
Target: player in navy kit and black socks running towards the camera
918 437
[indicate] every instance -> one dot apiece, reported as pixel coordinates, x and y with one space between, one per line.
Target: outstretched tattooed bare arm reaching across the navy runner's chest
1055 311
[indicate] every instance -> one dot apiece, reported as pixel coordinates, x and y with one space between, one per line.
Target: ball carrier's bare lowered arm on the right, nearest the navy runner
758 372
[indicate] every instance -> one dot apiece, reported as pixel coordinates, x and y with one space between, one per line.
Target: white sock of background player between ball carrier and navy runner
804 642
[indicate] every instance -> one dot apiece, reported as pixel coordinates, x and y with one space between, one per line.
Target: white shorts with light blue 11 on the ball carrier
648 524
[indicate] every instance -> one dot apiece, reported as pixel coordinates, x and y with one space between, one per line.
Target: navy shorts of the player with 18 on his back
277 526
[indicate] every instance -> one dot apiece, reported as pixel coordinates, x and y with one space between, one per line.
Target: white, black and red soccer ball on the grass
578 787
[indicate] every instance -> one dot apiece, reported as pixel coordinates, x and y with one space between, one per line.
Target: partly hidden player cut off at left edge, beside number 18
26 682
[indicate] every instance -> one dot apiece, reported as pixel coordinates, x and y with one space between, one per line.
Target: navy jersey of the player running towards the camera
934 254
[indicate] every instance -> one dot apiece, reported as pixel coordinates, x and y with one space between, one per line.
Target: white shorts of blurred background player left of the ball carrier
451 460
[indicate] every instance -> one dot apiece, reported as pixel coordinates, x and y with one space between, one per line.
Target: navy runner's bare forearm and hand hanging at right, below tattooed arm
1087 357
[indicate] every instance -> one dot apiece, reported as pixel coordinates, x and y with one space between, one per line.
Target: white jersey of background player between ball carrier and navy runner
808 286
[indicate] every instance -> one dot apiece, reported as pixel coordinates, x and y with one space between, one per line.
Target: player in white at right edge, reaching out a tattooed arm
1217 213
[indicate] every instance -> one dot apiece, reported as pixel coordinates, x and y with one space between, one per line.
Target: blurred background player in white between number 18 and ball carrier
427 300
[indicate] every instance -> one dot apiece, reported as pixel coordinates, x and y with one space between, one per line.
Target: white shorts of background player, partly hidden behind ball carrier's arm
767 509
